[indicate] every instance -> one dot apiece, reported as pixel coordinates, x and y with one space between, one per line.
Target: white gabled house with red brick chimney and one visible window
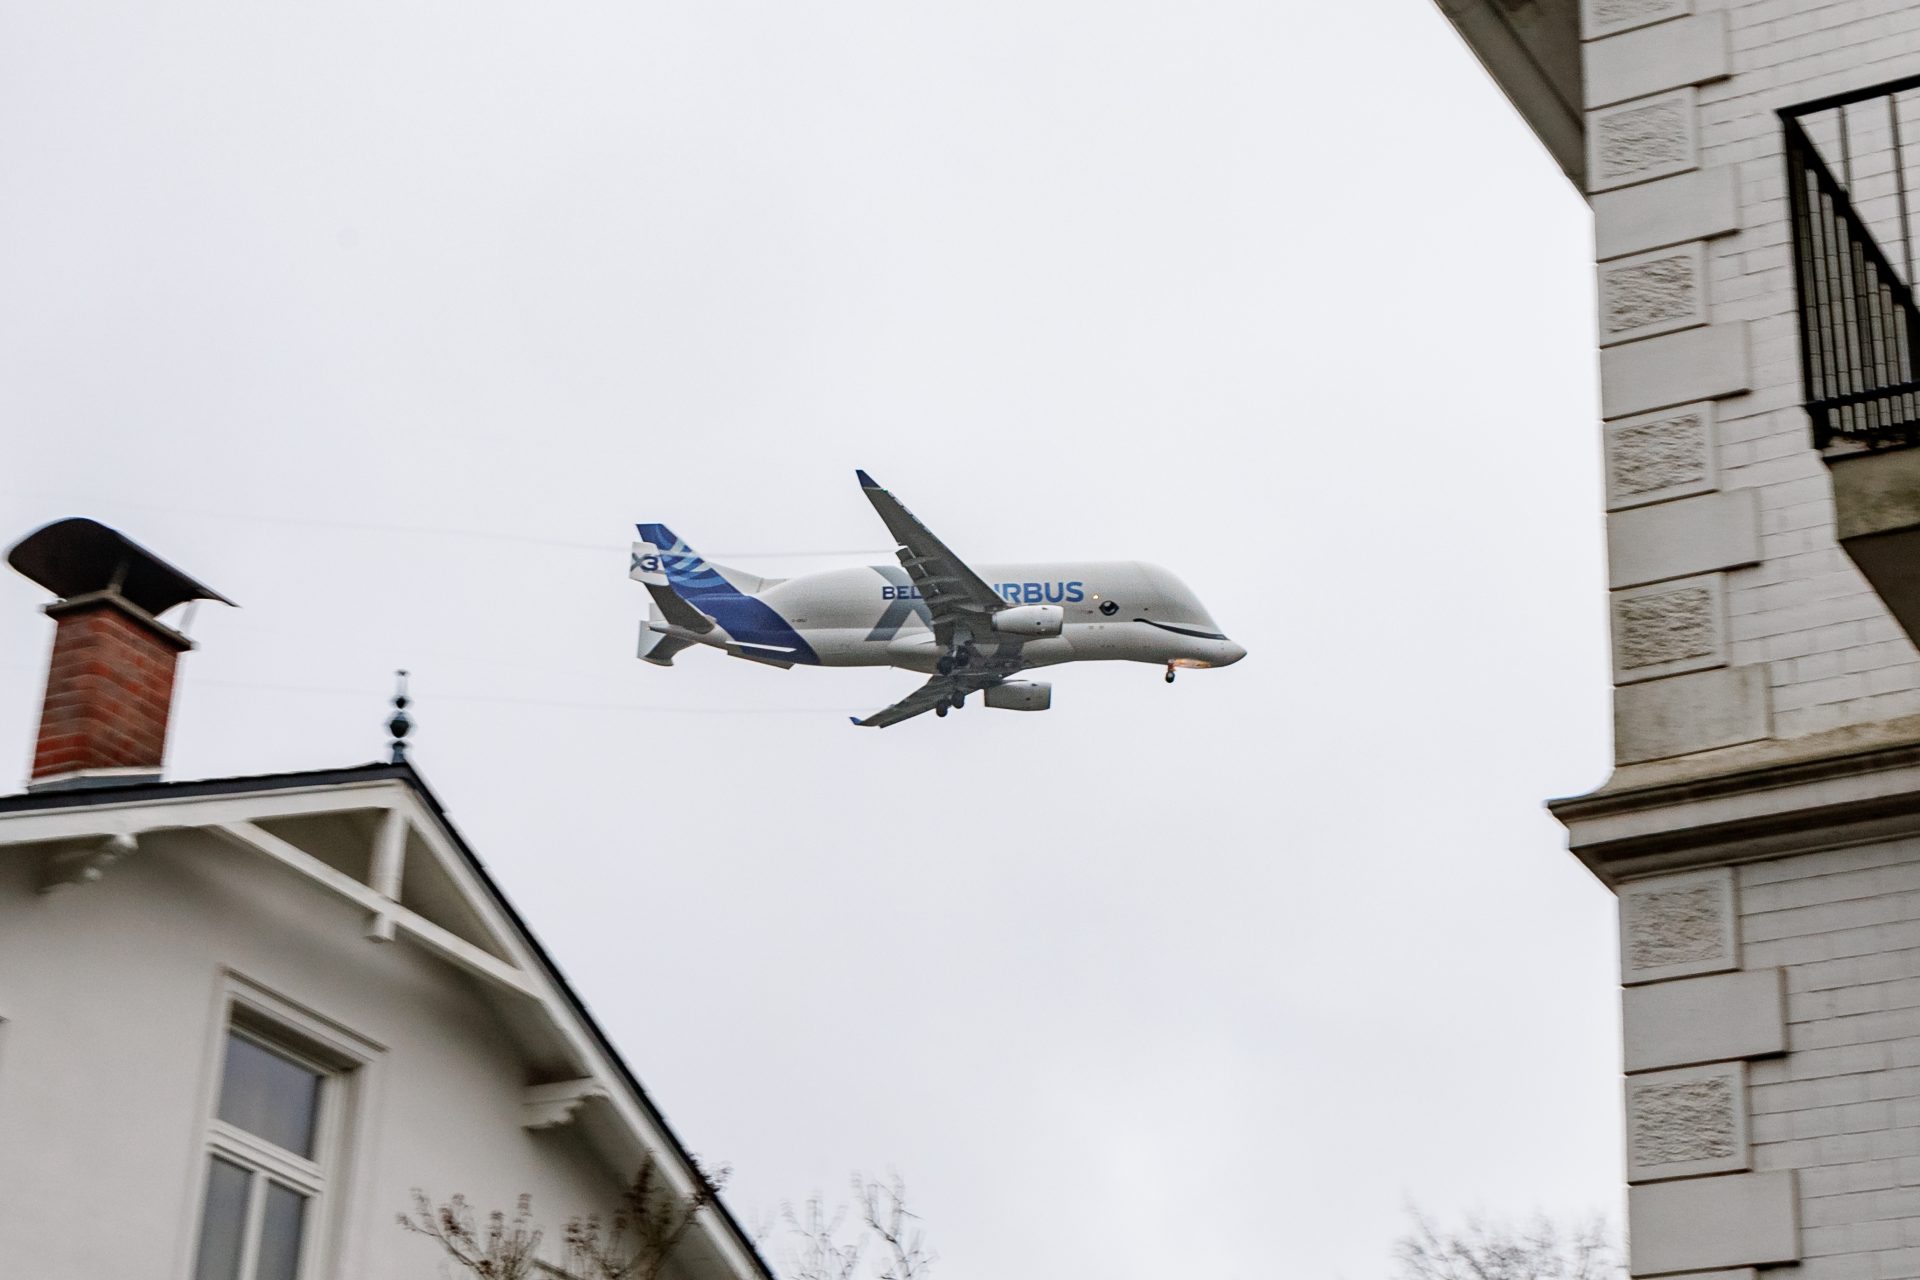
243 1018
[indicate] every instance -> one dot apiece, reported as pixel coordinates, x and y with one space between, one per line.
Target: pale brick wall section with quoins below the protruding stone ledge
1771 1026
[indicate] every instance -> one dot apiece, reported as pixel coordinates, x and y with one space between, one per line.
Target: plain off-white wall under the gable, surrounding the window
110 997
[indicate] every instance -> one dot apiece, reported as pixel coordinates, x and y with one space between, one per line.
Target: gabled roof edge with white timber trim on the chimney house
381 840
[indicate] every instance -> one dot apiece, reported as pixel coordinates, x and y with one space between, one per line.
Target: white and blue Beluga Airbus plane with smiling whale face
930 613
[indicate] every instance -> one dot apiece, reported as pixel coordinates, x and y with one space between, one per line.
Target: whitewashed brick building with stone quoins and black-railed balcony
1754 172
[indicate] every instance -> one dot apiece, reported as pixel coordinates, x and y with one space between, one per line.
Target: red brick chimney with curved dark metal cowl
110 678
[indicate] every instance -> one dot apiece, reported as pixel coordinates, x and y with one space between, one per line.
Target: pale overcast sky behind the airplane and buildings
391 320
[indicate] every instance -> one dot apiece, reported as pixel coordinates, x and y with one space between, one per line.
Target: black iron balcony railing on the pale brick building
1858 320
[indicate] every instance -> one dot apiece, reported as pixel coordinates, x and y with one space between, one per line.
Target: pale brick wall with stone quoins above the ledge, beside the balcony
1702 381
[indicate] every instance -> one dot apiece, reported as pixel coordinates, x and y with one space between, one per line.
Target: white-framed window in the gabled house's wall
274 1129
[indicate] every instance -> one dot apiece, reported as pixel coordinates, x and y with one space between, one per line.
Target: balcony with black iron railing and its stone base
1854 272
